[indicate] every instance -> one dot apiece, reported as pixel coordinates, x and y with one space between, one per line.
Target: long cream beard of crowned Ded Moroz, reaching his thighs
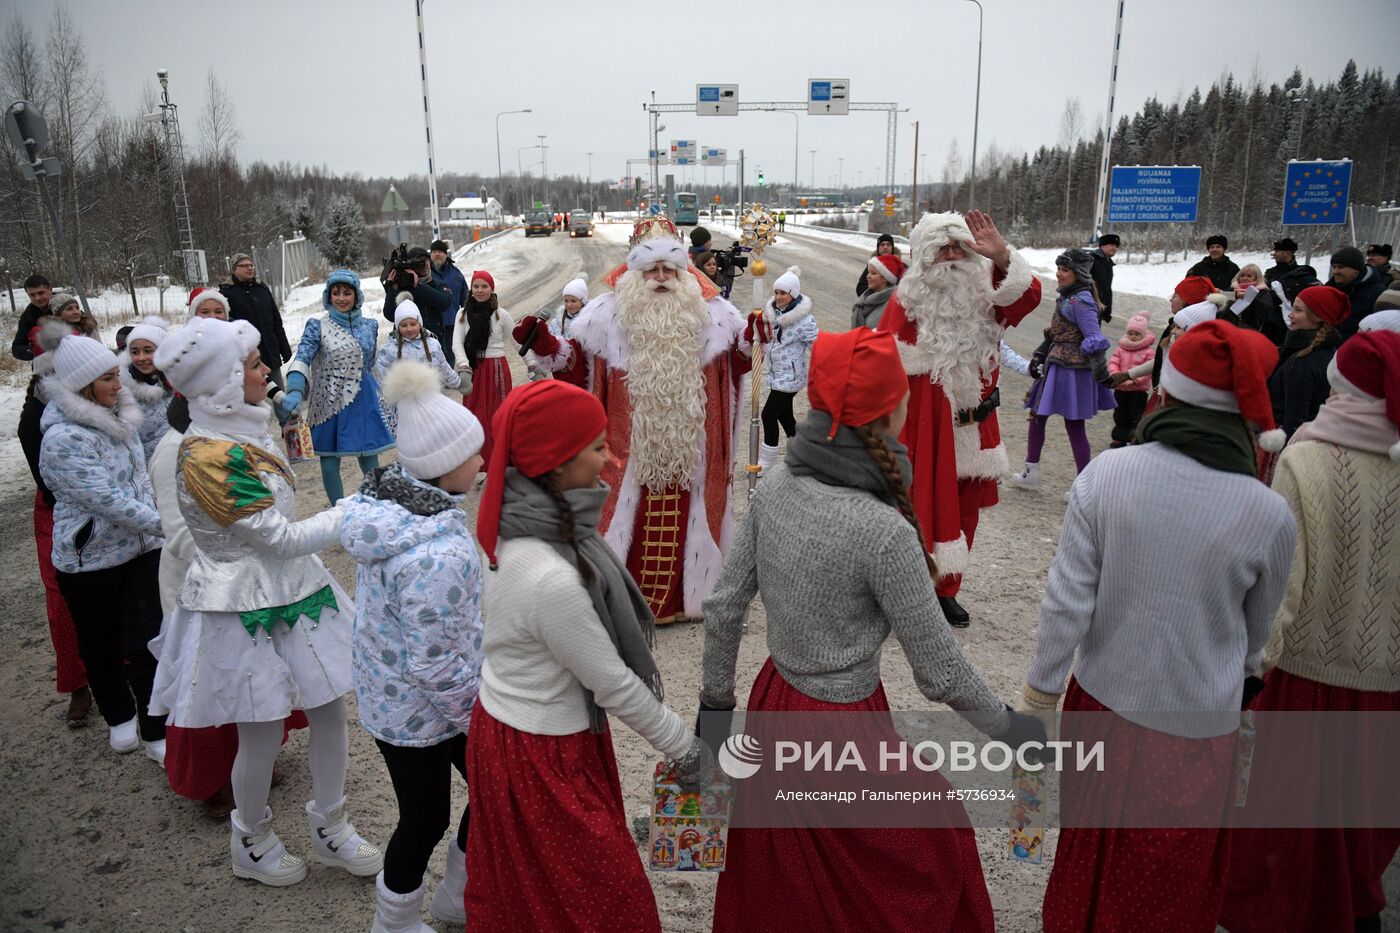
666 382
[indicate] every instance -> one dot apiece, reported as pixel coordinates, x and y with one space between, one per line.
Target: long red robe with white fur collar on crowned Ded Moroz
673 540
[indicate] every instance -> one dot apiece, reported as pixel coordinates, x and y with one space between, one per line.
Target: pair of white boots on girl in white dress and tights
260 855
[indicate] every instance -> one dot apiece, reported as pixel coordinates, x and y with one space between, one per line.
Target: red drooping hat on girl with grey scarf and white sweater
541 427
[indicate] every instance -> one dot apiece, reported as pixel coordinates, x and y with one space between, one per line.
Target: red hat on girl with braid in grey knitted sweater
856 378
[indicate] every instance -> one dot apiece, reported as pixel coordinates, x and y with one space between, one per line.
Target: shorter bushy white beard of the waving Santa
958 329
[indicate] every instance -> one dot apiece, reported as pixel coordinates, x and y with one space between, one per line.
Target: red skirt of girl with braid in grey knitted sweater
901 880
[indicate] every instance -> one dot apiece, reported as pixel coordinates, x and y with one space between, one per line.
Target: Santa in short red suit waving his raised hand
965 286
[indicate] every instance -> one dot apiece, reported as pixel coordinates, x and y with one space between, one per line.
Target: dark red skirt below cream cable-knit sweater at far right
1310 879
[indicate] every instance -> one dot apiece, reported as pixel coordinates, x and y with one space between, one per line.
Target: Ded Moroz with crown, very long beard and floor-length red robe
668 358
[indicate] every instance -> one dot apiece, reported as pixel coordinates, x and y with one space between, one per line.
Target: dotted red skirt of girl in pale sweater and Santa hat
1139 880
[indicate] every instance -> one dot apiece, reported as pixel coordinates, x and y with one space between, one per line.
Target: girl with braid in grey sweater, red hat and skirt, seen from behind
860 575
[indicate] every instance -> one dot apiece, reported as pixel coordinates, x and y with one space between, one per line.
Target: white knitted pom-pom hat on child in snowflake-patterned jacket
436 435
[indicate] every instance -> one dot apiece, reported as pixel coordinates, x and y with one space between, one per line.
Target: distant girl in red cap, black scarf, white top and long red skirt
479 340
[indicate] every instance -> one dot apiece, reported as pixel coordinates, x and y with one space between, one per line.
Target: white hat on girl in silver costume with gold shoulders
205 359
